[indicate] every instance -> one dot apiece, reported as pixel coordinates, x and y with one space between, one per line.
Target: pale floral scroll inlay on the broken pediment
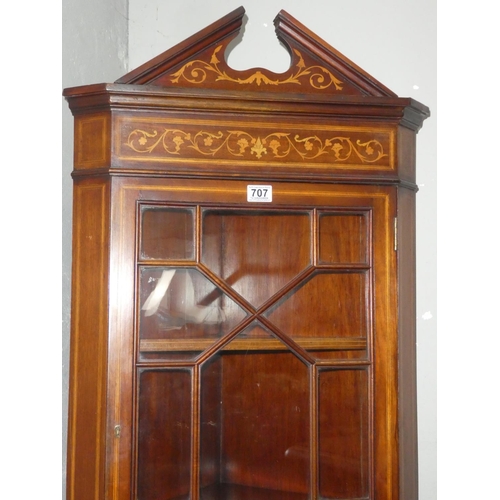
197 72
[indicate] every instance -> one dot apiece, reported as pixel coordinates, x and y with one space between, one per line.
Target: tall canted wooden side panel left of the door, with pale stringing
88 355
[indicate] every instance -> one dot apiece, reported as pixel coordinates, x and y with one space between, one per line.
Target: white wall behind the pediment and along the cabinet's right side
395 42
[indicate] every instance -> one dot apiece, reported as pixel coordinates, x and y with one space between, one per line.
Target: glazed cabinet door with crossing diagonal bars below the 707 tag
255 331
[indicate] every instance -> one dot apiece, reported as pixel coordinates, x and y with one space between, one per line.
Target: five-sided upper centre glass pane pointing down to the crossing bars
256 253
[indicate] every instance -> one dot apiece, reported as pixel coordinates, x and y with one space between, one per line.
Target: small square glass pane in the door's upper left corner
167 233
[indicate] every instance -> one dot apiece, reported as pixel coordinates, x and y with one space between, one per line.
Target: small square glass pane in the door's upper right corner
343 239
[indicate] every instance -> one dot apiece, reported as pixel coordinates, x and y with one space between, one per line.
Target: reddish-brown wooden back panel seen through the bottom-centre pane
265 441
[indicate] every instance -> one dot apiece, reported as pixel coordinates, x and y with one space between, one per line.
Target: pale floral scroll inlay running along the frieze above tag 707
273 146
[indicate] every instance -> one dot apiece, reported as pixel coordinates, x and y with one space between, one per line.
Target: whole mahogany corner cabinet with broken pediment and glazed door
243 301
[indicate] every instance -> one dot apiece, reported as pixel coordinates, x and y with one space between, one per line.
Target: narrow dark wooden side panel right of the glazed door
407 347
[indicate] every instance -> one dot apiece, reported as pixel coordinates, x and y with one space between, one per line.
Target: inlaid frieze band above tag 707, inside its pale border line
341 147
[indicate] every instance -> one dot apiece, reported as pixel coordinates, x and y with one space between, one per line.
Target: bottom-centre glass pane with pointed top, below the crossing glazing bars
255 423
